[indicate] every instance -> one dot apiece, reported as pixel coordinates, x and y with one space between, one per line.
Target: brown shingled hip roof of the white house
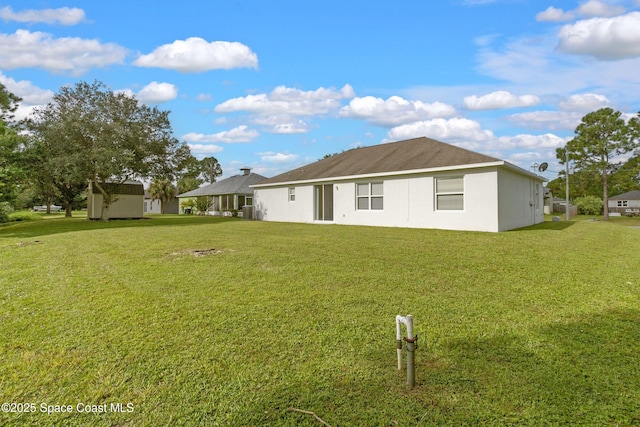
408 155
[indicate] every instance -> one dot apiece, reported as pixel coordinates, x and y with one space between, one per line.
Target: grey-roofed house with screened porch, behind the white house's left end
230 194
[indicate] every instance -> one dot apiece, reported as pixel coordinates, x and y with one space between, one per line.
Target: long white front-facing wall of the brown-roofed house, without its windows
409 201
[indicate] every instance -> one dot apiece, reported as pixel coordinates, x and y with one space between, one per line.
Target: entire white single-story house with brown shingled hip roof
420 183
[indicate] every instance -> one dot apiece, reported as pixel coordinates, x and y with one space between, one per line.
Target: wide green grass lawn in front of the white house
213 321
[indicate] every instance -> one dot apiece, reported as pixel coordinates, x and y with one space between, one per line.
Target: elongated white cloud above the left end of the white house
289 101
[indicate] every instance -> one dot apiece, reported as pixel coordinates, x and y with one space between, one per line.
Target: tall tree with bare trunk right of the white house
600 138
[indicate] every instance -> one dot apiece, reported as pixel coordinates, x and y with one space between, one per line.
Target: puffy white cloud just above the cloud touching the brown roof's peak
394 111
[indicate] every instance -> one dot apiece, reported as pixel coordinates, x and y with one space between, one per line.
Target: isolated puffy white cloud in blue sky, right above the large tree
197 55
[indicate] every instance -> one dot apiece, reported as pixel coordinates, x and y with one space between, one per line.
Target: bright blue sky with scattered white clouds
278 84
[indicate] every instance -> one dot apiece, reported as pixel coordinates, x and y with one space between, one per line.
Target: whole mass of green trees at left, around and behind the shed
90 134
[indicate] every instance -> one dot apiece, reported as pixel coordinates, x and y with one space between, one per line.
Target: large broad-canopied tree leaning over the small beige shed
89 133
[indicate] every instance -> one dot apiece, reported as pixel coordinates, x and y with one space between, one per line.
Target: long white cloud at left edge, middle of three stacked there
73 55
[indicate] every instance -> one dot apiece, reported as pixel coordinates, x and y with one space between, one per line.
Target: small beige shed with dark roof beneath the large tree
128 203
